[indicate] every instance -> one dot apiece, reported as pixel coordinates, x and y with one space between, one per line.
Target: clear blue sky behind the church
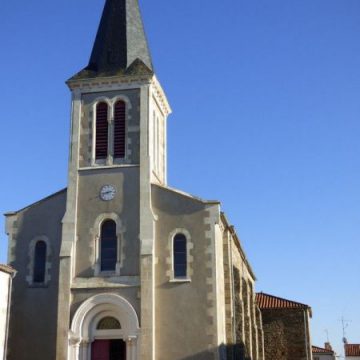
266 101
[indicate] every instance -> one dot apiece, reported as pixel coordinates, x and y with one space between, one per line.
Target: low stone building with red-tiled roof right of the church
286 328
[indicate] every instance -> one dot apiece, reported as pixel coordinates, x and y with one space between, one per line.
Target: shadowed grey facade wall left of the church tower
34 306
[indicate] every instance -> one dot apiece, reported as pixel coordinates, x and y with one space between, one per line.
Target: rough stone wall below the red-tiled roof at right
285 334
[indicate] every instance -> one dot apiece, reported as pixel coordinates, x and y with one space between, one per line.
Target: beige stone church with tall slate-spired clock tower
120 266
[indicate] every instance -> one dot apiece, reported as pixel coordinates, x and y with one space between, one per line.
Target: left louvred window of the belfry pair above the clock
102 128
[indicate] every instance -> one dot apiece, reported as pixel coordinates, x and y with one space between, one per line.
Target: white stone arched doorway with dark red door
105 327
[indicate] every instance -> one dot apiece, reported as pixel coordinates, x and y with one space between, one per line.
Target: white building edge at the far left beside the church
6 276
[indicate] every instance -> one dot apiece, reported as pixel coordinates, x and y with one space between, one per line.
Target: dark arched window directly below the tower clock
108 247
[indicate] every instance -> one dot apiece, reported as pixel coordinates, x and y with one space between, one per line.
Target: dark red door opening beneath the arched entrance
108 350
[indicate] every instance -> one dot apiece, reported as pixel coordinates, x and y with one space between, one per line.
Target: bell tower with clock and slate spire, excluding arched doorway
117 150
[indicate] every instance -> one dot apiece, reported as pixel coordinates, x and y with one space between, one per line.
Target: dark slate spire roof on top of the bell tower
120 47
